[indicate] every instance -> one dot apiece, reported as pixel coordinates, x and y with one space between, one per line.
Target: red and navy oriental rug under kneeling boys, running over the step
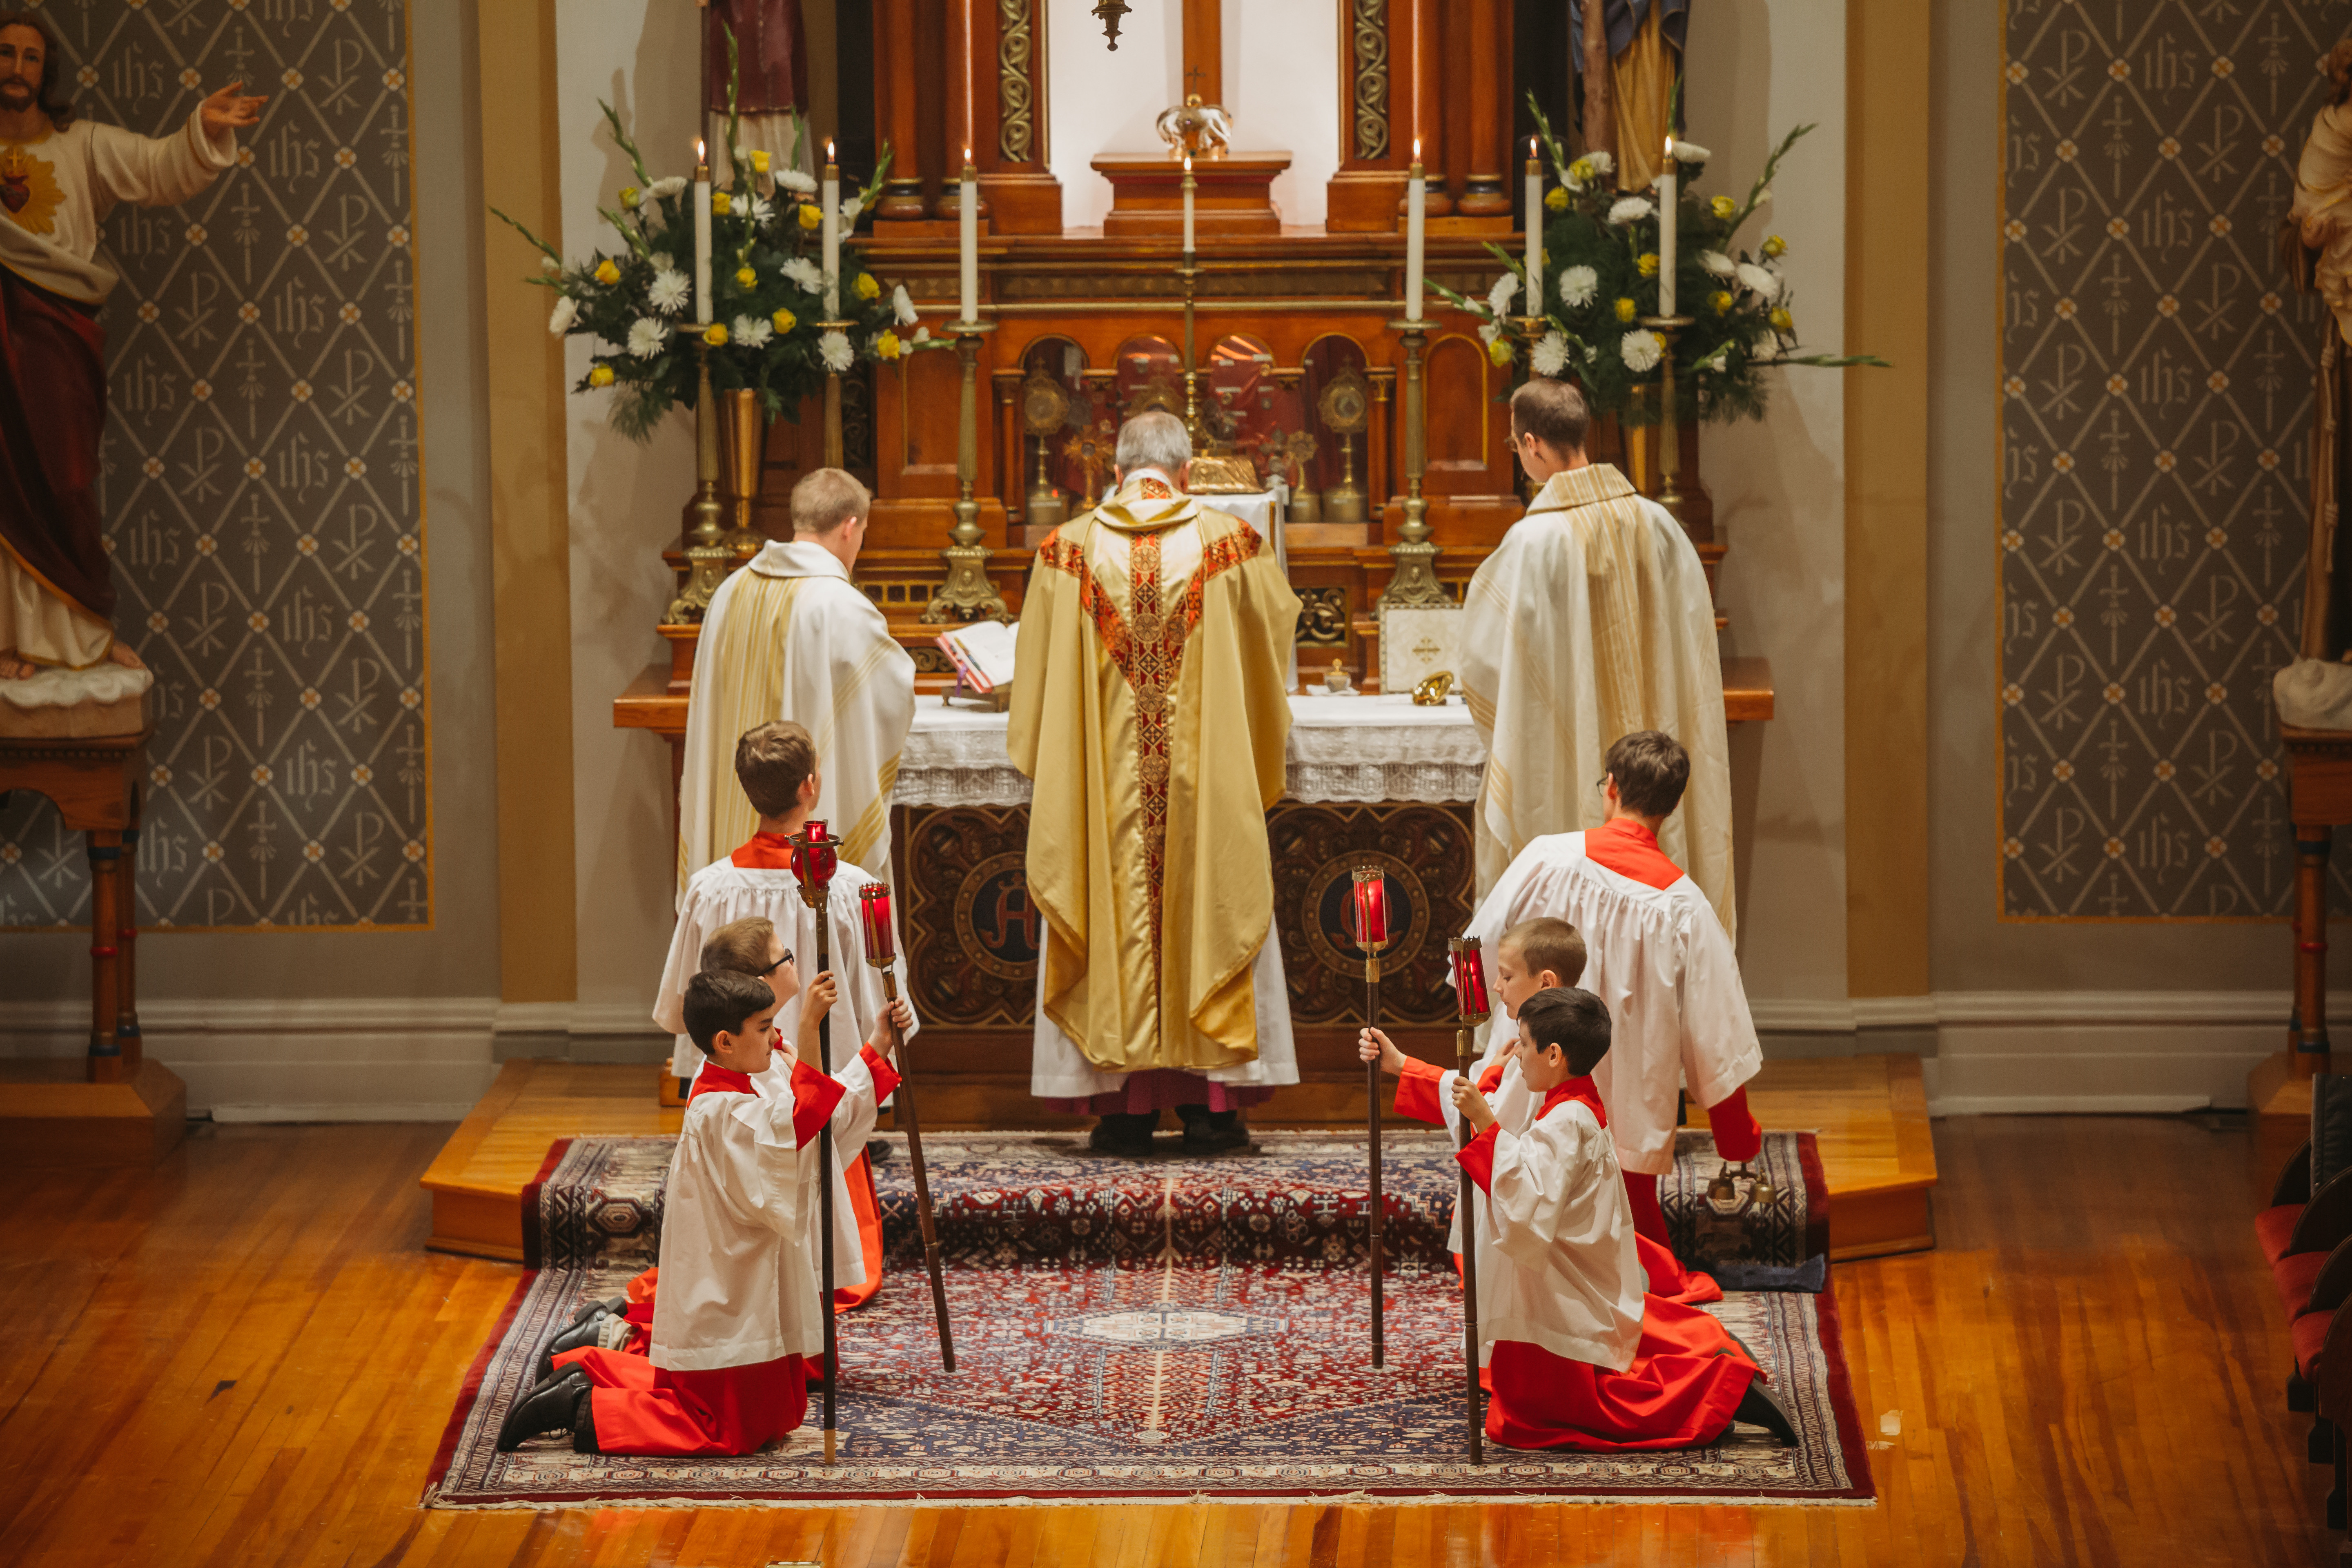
1132 1332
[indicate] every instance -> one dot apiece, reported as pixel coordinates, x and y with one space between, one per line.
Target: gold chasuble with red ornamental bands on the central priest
1151 713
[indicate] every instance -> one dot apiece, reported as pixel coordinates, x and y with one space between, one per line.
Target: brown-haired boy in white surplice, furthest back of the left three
777 770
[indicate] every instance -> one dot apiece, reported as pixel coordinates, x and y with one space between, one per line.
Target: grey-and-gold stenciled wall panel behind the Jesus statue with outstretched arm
262 476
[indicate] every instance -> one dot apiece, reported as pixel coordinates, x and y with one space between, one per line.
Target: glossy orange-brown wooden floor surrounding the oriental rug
248 1355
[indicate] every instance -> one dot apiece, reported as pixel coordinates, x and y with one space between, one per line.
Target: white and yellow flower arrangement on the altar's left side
768 293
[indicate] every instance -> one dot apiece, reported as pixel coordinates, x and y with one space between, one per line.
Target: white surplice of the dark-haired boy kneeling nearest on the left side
740 1228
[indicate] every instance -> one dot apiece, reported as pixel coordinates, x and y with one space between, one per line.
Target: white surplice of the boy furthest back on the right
1664 967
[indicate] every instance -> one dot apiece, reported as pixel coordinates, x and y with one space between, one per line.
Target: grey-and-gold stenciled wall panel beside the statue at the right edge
2156 417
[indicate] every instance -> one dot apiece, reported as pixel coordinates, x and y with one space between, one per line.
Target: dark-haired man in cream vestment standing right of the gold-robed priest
1589 622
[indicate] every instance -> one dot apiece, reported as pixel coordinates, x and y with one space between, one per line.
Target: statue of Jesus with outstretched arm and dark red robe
60 177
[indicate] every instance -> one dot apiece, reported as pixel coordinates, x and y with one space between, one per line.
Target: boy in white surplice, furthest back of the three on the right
1659 960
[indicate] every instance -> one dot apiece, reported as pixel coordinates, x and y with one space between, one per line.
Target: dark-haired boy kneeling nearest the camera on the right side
1577 1355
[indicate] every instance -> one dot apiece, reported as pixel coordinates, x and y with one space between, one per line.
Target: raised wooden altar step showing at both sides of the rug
1869 1113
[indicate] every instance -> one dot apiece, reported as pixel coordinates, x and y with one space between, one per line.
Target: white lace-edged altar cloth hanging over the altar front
1344 749
